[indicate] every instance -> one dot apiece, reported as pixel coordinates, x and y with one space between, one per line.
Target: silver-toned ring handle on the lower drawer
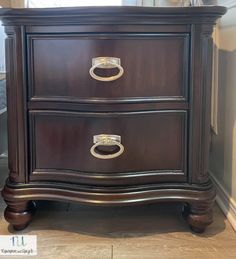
106 140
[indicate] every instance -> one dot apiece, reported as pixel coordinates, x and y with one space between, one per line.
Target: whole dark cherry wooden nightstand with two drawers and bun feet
109 106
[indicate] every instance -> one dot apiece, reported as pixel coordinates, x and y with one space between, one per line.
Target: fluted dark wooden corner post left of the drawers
16 105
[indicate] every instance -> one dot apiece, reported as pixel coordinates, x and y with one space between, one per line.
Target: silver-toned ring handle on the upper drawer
106 63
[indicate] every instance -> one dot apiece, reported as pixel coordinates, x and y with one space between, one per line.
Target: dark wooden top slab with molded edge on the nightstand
111 15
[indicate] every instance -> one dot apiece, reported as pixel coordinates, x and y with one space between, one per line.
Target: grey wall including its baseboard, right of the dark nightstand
223 146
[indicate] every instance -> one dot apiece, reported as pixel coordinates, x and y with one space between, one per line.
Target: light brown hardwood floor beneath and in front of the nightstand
155 231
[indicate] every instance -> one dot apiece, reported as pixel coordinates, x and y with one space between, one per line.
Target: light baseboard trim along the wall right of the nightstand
225 201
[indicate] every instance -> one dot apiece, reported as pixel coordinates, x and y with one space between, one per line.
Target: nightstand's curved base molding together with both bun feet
197 210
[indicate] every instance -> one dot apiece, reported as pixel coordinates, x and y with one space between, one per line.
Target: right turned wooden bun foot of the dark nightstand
198 216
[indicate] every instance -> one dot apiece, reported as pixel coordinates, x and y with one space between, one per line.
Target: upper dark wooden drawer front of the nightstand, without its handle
155 67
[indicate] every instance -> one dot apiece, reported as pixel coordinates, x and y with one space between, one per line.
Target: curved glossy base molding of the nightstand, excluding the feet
193 194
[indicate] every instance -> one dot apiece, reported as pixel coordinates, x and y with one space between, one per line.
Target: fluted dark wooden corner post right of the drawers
200 95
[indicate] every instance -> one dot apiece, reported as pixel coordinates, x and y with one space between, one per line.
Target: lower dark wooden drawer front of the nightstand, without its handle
154 147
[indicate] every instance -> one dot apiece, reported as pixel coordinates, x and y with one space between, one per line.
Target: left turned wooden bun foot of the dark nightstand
19 213
